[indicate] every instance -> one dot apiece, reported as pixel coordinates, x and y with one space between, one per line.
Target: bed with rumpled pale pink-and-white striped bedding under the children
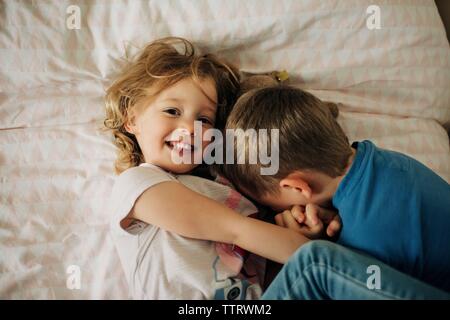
57 58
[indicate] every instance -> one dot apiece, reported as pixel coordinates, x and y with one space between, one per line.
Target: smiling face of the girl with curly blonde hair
165 127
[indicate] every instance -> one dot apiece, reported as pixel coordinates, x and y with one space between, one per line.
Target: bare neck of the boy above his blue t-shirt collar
328 185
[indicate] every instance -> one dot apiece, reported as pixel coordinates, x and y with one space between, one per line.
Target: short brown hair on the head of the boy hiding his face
310 137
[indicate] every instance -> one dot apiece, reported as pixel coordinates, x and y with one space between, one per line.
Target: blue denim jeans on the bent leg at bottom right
324 270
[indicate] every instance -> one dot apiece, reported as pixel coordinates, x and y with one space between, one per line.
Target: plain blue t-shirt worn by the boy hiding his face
397 210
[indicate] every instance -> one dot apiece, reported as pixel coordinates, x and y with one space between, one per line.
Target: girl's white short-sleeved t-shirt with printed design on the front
163 265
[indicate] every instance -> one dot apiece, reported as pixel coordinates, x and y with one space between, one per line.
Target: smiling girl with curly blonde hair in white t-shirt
158 211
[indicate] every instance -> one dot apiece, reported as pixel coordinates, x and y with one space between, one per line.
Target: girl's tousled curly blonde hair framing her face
160 65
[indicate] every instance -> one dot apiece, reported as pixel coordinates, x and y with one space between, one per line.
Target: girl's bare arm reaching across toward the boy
176 208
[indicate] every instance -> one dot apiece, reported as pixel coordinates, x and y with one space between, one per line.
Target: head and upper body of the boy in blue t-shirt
392 207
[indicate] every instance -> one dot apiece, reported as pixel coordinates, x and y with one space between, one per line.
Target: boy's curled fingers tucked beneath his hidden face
310 221
